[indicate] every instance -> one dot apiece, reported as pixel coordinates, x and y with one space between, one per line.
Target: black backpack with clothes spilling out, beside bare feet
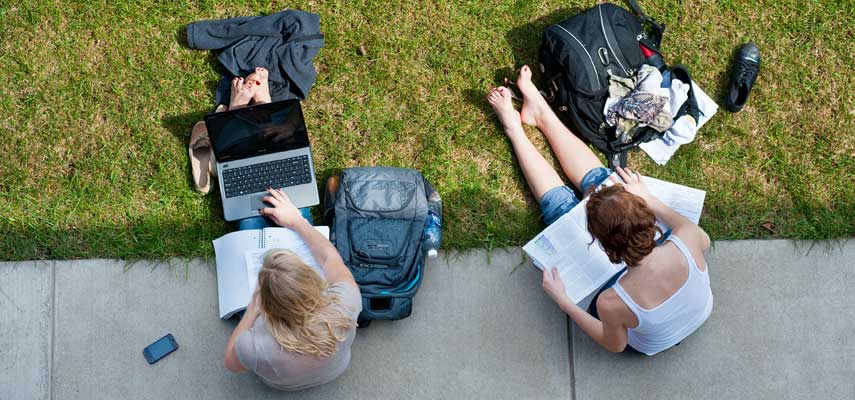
576 54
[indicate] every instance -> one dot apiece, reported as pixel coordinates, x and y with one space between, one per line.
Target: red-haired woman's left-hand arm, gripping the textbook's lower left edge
609 333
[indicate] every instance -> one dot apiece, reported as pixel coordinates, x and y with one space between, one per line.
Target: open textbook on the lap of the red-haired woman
582 264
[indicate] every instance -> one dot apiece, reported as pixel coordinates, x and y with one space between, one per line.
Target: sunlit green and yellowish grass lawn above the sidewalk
97 101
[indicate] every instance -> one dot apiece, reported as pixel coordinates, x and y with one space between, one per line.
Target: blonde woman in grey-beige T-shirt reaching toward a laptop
297 331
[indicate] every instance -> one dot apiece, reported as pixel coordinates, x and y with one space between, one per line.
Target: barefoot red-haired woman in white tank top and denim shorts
664 293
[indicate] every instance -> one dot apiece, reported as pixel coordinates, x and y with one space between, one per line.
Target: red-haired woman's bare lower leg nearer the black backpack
574 155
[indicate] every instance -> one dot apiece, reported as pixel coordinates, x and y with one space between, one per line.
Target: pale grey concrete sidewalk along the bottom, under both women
781 328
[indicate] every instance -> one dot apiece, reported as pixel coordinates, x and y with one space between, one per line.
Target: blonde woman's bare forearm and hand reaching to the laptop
284 213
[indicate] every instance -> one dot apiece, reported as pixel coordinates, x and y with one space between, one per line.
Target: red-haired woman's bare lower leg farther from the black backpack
538 172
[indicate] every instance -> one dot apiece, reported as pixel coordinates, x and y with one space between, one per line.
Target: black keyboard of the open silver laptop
258 177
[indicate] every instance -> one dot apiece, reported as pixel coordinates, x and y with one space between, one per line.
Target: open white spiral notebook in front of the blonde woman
239 256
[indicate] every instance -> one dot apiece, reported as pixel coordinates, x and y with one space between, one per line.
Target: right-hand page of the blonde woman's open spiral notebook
280 238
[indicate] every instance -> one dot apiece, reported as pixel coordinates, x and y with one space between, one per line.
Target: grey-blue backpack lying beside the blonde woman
379 219
